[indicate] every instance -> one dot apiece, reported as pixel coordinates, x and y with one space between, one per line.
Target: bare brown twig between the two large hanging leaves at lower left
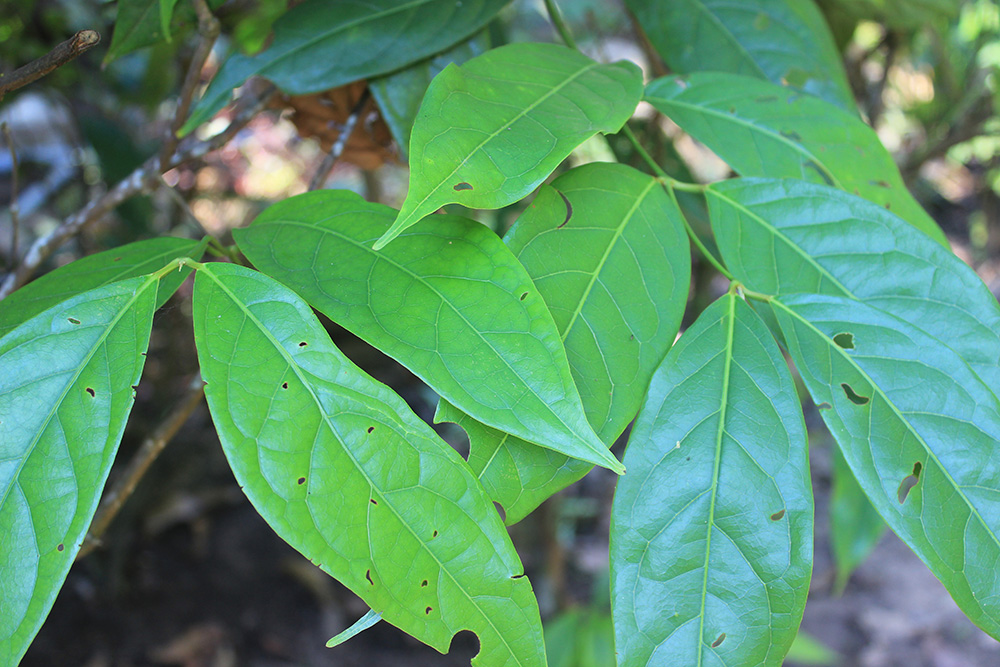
151 447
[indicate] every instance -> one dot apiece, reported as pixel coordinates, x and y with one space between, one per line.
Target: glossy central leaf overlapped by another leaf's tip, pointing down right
450 302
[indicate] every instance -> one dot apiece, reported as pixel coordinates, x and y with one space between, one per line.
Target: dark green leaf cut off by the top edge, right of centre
783 41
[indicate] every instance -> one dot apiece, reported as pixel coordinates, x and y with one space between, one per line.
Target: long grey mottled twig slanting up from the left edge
145 177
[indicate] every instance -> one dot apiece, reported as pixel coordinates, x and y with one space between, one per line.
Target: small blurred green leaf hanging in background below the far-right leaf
855 525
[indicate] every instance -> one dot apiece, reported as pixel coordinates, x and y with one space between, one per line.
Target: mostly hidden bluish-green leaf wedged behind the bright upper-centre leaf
399 94
